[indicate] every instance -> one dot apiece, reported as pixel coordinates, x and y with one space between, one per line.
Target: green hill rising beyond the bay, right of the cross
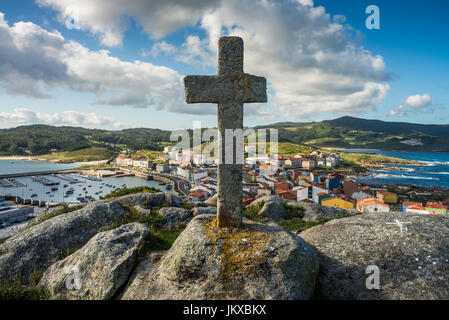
351 132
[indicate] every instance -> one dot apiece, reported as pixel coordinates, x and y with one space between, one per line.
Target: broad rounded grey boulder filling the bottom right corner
413 264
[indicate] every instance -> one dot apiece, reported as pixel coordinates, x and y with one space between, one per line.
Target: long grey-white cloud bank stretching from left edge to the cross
33 60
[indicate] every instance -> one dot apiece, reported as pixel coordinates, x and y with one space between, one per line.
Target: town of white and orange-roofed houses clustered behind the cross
297 178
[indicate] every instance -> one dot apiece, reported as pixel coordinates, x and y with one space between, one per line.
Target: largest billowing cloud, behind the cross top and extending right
310 63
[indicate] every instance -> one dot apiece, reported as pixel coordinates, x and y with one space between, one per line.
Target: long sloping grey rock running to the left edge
34 249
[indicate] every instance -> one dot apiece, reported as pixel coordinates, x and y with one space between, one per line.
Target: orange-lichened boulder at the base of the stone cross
260 261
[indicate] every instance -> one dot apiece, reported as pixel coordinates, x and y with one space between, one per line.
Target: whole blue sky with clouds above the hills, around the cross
322 62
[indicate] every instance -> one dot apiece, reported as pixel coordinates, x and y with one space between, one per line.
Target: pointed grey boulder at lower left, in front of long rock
100 267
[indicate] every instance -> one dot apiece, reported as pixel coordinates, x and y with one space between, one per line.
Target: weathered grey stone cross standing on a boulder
230 89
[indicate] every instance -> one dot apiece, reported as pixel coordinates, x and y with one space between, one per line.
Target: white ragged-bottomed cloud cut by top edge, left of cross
109 19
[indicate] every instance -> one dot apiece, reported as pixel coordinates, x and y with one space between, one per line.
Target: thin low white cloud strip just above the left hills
21 116
